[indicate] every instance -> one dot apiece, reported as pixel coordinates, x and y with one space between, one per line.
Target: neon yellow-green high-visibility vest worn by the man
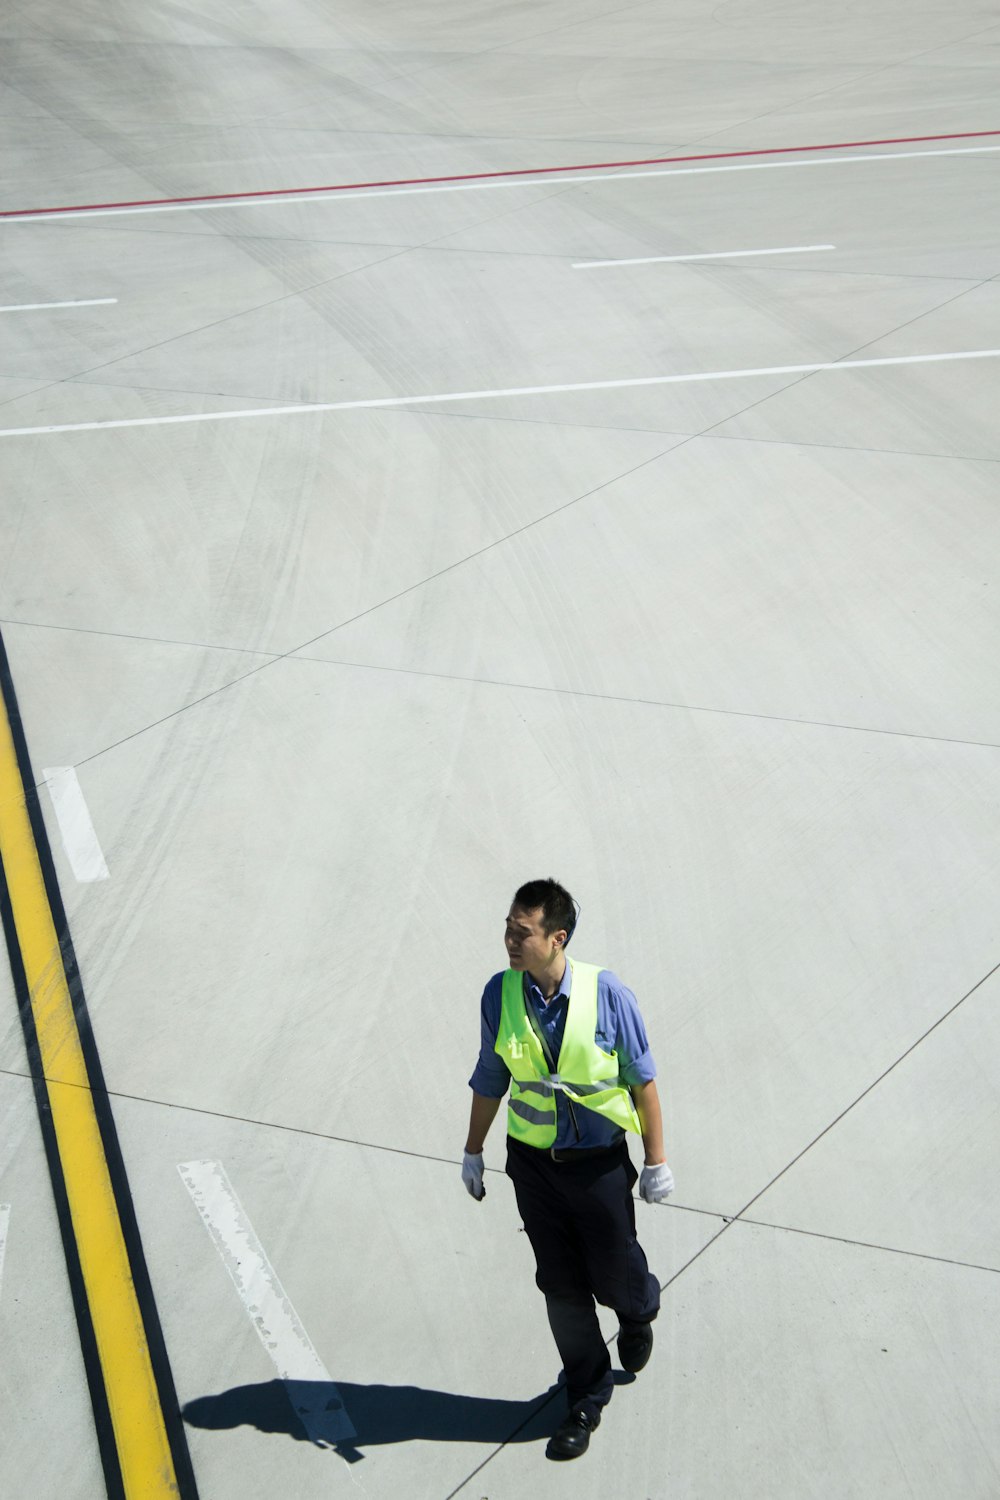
585 1073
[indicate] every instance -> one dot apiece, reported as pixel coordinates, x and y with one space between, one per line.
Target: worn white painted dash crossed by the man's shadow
275 1319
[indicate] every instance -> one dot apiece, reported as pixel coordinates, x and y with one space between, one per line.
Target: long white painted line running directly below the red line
355 194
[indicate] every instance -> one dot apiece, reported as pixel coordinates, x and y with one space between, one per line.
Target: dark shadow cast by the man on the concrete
350 1417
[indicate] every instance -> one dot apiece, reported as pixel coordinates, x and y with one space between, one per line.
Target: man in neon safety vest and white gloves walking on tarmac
569 1043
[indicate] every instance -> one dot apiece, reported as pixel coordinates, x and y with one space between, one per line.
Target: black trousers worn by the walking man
581 1220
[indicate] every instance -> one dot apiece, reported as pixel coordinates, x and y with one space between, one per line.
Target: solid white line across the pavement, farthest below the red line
496 395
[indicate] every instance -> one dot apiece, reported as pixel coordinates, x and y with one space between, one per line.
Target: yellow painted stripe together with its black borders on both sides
140 1433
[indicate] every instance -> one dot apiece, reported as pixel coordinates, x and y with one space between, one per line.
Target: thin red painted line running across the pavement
510 172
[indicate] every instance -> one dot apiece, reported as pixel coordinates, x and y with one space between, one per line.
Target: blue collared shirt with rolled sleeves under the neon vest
620 1030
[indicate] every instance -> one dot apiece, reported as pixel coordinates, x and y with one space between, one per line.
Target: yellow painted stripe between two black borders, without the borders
140 1433
